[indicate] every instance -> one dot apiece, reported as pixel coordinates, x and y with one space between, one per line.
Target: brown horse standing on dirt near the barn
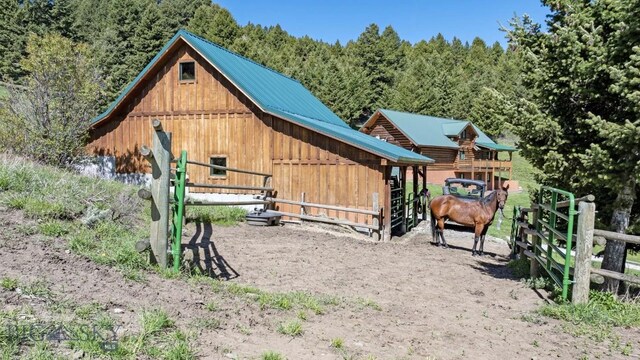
472 213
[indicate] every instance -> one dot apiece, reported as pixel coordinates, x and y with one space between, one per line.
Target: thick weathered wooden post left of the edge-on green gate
161 167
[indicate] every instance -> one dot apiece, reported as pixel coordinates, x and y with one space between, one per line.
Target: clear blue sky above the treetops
414 20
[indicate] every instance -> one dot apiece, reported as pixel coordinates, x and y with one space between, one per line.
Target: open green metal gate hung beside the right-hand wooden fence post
554 222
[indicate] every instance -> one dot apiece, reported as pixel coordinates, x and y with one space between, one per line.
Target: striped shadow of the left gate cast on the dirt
205 256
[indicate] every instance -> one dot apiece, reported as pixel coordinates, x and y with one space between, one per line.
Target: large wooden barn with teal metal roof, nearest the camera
227 110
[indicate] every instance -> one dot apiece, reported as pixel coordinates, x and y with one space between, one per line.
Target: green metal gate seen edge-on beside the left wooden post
178 209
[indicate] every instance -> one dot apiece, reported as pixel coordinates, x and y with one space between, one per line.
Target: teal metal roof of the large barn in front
276 94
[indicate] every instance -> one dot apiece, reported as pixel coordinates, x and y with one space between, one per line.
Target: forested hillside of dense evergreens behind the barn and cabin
379 69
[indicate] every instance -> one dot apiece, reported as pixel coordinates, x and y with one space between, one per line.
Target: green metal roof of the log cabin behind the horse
424 130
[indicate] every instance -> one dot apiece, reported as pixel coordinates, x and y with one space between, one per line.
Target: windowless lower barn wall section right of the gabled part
327 171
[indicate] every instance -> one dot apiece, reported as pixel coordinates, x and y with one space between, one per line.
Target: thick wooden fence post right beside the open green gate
584 250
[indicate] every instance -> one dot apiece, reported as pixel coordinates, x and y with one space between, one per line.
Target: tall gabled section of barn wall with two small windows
206 117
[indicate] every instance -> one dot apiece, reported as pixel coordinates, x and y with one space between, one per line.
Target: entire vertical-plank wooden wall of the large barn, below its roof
209 117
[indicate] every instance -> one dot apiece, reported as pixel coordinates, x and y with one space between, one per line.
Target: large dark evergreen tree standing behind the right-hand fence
583 124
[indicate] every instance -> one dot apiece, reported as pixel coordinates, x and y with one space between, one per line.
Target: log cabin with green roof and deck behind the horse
460 149
